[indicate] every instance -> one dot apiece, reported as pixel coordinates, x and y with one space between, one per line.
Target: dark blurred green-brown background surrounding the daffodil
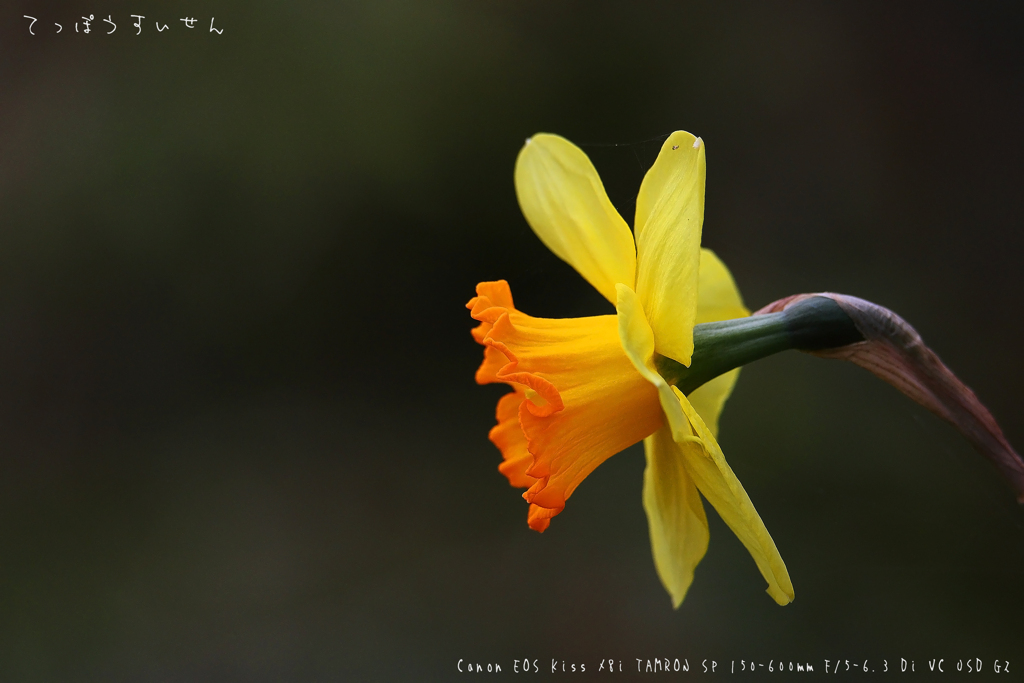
240 438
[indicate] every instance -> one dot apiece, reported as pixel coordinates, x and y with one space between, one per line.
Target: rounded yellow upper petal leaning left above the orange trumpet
565 202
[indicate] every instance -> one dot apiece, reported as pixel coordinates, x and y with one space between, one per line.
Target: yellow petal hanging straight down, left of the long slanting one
675 516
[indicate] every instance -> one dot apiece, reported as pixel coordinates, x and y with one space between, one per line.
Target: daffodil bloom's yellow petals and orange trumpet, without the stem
585 390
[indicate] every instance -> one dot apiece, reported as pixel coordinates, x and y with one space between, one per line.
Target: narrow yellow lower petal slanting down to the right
706 464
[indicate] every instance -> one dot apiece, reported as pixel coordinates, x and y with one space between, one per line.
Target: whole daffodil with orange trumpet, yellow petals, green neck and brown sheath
662 368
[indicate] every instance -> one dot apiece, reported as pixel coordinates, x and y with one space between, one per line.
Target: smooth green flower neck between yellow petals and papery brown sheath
812 325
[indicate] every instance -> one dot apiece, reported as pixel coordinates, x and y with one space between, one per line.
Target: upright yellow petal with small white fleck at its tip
670 215
